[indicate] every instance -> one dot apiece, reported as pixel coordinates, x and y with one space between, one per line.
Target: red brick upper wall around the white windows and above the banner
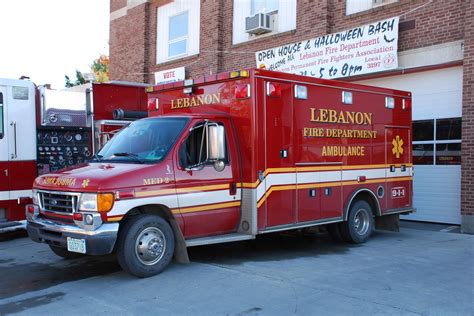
421 23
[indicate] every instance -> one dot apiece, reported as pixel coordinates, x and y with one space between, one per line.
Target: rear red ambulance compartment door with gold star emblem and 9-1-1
398 167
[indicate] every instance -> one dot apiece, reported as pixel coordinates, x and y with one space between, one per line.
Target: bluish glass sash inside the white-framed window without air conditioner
178 35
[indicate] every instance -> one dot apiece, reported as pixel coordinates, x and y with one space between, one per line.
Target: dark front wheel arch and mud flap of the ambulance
181 253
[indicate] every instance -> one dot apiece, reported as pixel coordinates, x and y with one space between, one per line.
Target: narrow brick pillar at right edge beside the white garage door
467 169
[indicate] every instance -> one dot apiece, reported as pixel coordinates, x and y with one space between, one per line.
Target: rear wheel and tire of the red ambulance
360 223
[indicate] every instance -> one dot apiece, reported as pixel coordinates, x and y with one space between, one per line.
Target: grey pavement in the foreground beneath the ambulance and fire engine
419 271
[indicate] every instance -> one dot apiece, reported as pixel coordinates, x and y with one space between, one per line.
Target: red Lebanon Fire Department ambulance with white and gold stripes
228 157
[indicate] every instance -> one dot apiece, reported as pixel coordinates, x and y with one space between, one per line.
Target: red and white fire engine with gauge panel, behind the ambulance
44 130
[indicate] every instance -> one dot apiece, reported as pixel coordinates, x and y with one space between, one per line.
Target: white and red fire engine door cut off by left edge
4 181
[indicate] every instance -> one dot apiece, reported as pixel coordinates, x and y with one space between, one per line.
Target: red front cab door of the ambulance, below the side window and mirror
208 193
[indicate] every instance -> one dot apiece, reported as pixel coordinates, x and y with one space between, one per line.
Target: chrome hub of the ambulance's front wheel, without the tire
150 246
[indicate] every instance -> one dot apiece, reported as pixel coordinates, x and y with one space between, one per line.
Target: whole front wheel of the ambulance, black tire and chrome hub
145 245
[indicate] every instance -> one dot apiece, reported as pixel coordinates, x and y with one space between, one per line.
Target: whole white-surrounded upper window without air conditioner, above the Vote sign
178 28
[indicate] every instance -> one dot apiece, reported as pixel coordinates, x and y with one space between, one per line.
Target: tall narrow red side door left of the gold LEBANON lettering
280 175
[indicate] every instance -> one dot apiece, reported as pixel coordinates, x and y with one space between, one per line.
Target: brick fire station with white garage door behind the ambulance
435 62
